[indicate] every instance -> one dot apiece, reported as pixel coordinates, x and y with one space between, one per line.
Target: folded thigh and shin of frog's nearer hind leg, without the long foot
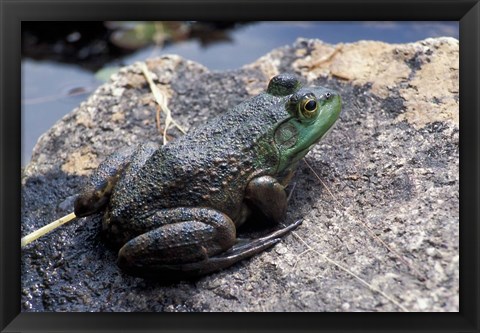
178 236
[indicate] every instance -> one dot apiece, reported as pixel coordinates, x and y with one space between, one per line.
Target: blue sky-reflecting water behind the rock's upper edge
51 89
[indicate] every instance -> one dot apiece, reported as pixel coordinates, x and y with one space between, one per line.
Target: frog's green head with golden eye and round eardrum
312 112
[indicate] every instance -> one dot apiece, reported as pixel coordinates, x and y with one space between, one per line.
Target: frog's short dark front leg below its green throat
269 196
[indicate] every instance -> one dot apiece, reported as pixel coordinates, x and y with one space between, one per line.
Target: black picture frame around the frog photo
13 12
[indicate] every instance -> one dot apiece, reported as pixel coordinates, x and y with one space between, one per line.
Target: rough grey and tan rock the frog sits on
391 163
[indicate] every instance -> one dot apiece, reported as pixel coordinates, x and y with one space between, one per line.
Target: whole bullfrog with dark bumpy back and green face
173 211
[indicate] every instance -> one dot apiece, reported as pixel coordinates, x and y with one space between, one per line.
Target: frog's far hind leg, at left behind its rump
95 195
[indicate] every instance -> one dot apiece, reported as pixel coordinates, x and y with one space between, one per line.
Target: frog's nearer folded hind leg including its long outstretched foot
197 241
